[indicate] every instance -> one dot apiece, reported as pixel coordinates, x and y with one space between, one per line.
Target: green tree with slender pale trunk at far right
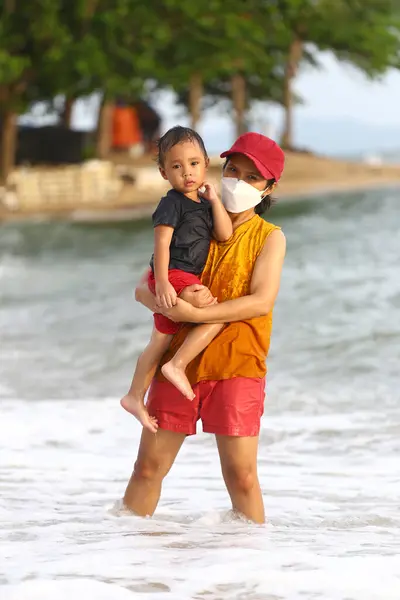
362 32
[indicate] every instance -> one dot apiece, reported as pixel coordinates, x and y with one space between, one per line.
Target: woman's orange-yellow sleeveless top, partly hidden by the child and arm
240 350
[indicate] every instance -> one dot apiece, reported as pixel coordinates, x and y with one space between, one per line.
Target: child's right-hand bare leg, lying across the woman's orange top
195 342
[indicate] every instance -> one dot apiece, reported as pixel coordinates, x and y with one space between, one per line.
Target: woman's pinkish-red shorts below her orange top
226 407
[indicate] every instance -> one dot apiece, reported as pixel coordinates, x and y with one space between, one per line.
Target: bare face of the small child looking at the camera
185 167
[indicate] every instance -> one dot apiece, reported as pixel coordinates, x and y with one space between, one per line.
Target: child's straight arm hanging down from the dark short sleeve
165 293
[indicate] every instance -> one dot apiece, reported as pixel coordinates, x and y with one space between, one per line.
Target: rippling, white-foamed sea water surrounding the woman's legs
329 445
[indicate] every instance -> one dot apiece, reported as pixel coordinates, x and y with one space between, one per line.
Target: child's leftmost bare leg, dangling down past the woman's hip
146 367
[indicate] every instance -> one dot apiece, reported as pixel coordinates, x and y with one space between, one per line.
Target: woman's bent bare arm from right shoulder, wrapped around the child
263 292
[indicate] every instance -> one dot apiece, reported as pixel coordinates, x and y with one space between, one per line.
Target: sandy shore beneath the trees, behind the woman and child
122 189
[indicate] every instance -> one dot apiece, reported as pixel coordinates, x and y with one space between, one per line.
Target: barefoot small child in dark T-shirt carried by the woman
184 222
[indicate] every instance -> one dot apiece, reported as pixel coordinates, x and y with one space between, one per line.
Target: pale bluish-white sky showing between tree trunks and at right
336 93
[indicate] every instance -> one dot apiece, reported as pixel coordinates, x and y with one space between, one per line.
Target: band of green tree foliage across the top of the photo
74 47
